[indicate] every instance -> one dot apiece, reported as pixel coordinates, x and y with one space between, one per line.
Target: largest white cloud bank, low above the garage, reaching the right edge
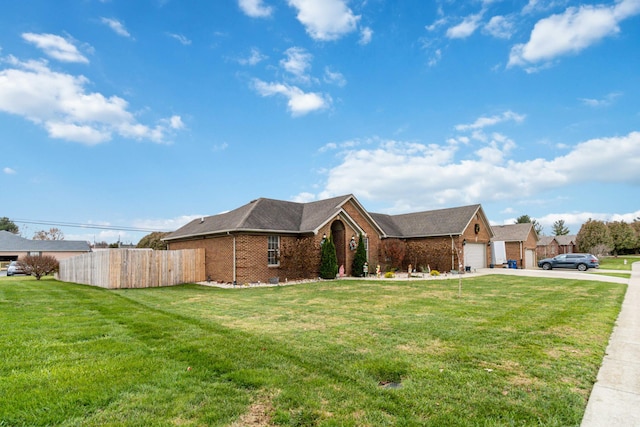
429 176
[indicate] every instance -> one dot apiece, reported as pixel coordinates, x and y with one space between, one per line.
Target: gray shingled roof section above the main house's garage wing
441 222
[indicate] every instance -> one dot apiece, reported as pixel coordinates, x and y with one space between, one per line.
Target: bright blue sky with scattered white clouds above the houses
147 114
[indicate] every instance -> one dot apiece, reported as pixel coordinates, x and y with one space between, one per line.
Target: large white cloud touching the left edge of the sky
60 104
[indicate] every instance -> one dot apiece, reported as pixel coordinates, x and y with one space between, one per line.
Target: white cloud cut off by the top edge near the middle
325 19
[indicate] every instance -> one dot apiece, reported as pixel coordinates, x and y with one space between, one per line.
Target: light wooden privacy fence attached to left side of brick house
134 268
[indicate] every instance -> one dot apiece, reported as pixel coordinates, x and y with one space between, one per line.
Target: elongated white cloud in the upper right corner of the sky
571 32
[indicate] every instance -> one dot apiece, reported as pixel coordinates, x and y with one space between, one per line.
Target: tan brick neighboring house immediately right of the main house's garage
516 242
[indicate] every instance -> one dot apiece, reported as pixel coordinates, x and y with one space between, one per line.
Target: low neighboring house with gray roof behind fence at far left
13 247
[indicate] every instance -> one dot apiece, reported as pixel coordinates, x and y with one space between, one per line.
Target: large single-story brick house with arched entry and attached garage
275 240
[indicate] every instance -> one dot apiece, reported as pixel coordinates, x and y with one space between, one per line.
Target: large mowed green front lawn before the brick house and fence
511 351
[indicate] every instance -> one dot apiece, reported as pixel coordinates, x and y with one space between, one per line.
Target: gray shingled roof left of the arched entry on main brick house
266 215
